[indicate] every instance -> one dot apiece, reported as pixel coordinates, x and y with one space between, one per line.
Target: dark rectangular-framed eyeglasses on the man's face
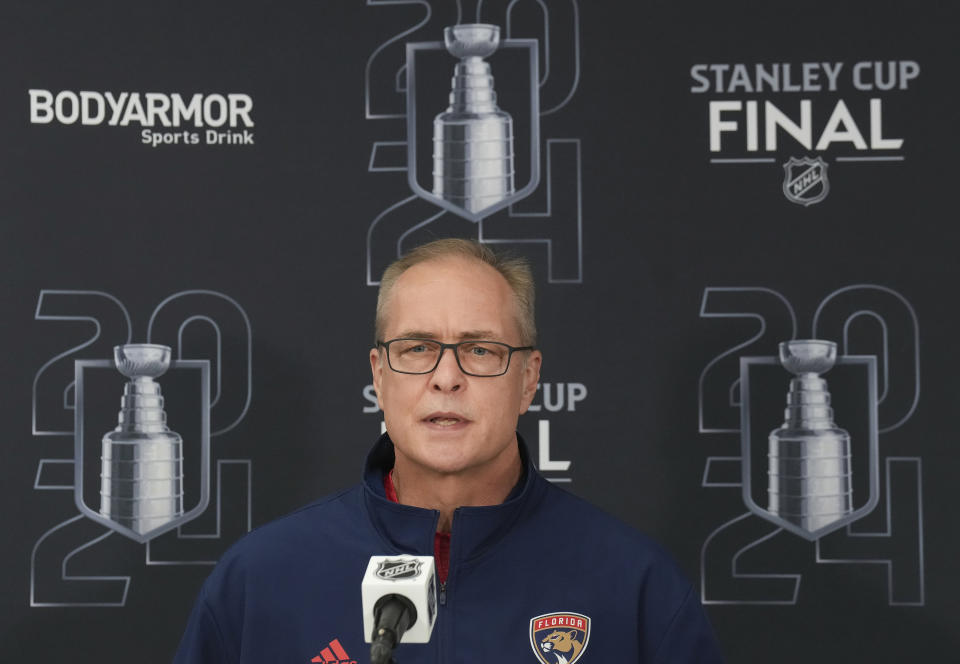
475 358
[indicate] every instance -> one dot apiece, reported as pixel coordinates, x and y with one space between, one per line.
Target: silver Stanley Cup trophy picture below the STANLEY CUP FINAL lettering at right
809 469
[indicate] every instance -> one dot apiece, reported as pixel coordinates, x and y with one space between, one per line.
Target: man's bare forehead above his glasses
449 297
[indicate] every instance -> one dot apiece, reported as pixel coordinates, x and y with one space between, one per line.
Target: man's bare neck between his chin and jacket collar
489 484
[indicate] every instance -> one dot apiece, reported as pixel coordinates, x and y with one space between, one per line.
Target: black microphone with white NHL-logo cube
399 603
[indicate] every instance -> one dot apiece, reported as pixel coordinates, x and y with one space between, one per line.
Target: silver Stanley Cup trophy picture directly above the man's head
473 138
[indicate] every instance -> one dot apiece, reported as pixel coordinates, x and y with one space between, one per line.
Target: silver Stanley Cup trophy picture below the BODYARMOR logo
141 476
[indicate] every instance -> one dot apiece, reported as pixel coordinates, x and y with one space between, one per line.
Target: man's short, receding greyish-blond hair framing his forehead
514 269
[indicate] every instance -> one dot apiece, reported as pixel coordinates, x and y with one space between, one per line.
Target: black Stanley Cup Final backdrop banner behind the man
740 219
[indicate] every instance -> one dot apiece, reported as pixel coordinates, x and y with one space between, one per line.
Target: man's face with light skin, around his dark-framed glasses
447 421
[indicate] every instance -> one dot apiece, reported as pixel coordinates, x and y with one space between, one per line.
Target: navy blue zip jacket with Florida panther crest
544 566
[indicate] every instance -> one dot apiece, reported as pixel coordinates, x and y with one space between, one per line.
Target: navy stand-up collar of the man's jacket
406 529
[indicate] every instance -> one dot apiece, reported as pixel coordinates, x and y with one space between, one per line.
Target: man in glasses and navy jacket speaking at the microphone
528 572
